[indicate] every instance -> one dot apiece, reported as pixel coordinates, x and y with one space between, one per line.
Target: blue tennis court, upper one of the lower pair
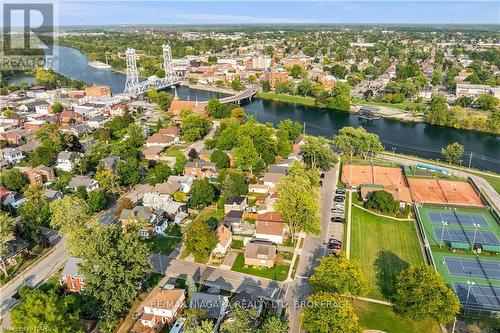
477 268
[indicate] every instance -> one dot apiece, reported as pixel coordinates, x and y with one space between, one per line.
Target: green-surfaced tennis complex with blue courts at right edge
475 278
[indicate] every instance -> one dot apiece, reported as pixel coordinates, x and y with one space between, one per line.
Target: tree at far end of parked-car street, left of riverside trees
317 153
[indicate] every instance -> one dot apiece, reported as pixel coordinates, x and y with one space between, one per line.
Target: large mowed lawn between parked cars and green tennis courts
383 247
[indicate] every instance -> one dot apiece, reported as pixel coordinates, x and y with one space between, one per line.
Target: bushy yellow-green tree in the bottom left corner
39 309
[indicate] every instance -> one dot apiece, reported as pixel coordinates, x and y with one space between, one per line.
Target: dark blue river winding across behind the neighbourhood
410 138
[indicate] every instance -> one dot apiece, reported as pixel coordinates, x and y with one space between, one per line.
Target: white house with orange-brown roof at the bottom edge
160 308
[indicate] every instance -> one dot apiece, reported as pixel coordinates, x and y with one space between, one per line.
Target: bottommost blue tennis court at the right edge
480 295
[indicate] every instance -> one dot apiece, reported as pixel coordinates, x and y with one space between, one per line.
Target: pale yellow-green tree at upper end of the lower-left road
70 216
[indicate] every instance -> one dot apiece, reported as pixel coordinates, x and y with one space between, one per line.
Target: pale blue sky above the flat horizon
247 12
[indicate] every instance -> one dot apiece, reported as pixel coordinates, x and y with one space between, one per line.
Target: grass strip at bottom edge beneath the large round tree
382 317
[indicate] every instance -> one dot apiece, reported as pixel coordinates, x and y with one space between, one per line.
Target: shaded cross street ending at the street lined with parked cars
215 277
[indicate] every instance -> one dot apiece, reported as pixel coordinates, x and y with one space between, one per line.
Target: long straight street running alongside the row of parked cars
314 248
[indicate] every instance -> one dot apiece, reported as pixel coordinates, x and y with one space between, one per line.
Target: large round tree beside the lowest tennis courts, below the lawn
421 293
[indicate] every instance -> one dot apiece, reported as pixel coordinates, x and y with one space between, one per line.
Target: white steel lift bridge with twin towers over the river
136 87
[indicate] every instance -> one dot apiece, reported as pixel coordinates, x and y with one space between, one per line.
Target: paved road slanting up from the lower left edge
32 277
